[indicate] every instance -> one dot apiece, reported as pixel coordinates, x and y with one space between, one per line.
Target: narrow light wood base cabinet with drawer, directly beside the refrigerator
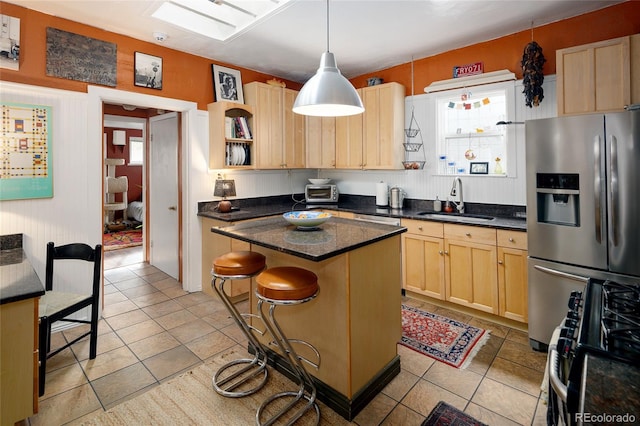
512 275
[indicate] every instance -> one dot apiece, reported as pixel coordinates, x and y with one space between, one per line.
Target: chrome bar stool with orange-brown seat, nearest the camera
282 286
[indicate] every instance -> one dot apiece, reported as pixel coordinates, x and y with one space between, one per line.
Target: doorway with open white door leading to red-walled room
146 156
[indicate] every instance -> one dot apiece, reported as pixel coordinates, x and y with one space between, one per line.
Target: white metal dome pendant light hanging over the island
328 93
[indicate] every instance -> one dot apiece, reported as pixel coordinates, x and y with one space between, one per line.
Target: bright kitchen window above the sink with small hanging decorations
468 132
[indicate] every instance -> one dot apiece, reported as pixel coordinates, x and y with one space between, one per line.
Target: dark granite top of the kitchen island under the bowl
334 237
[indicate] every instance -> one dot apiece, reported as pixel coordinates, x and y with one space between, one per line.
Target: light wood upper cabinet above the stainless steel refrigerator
597 77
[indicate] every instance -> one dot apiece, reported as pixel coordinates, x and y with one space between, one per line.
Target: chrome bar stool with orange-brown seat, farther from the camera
232 266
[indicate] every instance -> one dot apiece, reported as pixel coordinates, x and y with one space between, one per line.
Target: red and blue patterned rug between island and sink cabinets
446 340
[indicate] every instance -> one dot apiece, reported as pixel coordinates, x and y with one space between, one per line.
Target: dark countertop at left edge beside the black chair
18 280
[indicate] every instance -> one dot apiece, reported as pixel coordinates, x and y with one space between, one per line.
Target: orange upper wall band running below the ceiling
189 77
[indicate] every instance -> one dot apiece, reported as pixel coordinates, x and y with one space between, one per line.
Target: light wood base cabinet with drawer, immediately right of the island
423 258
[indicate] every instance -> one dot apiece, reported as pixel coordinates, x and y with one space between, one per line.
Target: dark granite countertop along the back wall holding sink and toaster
506 217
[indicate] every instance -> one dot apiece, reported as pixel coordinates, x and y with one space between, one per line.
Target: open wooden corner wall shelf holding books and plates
230 135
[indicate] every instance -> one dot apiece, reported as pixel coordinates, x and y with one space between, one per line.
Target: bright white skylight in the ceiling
217 19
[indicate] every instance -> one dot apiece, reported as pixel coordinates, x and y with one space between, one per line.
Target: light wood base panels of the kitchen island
355 321
